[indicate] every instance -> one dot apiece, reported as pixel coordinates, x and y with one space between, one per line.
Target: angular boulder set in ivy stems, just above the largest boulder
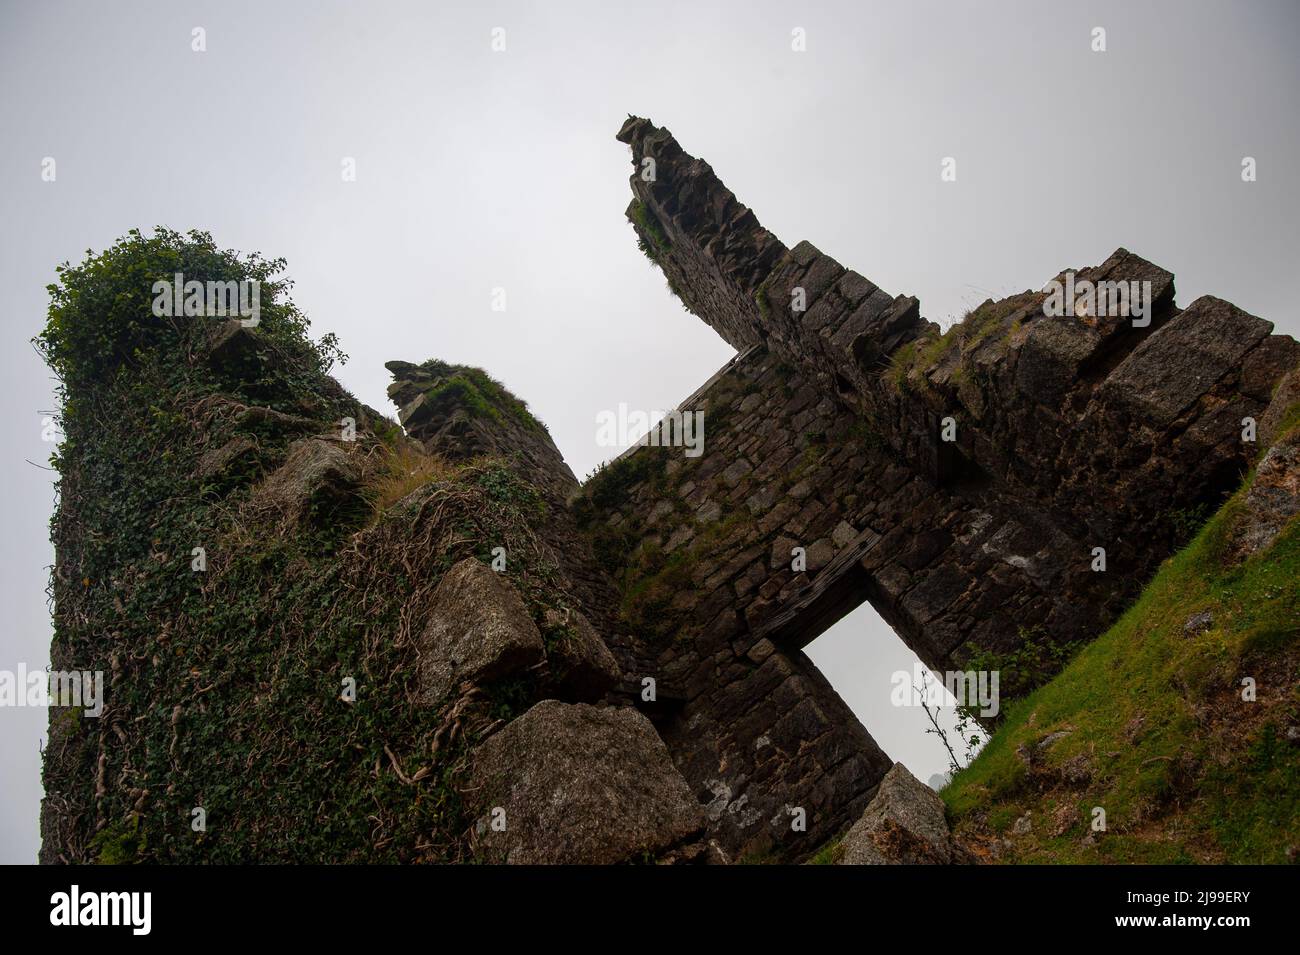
479 631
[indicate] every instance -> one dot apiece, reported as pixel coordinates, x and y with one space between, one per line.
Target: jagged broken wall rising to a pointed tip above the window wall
1104 424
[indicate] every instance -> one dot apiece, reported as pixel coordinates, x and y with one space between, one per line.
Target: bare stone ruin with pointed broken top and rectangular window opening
960 484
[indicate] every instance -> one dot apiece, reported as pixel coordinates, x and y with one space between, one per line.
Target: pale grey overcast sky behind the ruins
480 170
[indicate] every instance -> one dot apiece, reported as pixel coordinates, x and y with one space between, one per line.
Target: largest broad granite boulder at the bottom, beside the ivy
579 785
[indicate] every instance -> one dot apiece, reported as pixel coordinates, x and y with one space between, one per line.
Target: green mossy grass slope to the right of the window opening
1158 732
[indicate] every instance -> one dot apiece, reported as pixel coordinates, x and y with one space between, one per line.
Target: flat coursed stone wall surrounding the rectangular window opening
713 591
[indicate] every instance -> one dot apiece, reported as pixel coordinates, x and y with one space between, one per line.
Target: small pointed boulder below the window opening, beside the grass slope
904 826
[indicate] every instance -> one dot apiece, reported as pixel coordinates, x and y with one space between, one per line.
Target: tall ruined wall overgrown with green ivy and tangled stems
252 559
